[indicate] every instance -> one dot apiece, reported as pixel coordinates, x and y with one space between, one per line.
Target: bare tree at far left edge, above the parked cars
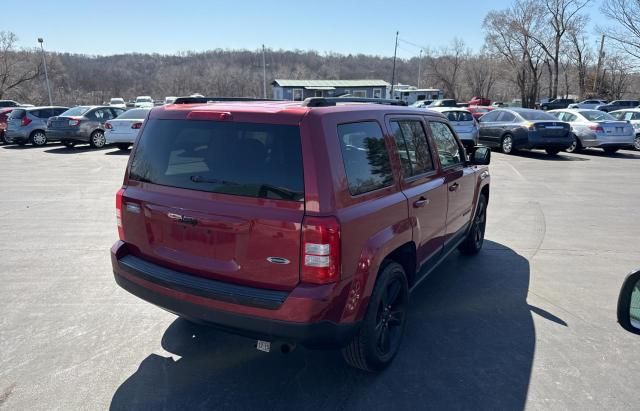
16 67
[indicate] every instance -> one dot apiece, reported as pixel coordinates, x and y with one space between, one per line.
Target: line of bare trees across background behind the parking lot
533 49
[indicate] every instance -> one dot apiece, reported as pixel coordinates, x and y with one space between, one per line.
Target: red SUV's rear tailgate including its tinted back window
218 199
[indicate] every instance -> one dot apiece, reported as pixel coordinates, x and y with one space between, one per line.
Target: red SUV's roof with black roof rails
291 111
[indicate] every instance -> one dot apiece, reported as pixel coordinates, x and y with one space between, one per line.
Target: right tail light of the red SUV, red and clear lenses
320 250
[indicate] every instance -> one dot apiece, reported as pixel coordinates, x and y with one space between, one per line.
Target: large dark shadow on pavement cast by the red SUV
469 344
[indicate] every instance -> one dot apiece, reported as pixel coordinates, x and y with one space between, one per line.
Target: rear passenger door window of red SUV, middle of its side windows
413 148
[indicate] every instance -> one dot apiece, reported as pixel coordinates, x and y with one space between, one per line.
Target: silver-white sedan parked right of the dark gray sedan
595 128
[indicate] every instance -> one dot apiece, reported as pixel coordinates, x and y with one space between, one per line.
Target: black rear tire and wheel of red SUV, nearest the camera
380 334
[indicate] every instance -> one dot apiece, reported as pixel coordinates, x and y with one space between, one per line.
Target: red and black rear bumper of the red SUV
244 311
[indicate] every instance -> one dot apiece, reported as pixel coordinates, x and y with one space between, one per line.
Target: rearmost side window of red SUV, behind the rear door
365 157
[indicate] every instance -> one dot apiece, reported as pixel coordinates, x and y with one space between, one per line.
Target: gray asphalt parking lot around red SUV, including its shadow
529 323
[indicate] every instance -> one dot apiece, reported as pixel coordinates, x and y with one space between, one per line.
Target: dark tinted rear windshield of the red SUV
244 159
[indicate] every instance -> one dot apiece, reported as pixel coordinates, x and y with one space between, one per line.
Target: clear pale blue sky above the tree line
115 26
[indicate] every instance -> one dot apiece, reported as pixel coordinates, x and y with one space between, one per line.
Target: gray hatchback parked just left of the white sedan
82 124
